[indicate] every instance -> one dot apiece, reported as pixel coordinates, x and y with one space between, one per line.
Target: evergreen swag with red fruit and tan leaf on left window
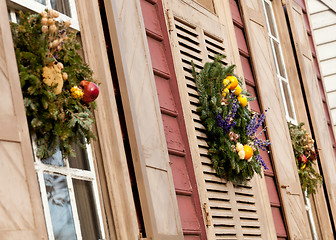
57 86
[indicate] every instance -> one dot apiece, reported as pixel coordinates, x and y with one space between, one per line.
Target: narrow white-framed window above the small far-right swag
279 61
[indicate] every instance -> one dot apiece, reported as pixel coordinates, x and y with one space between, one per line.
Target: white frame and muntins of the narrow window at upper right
280 78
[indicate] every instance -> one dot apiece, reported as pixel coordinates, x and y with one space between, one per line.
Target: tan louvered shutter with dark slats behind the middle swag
230 212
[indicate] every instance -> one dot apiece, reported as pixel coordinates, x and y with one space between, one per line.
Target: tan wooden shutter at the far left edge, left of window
21 215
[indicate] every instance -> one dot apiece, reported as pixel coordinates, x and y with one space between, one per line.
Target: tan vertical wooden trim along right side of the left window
108 126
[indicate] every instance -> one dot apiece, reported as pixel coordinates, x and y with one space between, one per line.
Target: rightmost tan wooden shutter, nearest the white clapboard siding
313 95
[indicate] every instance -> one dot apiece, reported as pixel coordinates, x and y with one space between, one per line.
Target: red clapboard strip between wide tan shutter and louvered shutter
172 117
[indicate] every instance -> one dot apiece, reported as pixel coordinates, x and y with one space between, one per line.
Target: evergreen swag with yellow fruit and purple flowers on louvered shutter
231 128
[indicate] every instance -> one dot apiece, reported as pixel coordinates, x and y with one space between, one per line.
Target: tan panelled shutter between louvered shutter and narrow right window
269 89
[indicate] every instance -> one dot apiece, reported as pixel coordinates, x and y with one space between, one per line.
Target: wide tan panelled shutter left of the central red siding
143 120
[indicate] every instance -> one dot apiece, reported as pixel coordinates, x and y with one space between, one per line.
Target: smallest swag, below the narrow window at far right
305 155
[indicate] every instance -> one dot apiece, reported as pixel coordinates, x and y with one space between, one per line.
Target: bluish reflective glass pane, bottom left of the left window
59 206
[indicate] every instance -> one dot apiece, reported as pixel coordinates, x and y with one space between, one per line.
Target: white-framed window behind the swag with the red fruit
68 187
